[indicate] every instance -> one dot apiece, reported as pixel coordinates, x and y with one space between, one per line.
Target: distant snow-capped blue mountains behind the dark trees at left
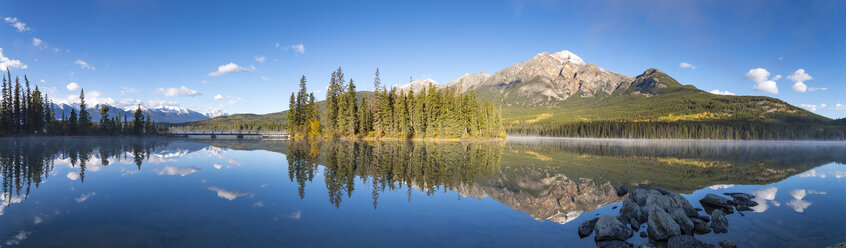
162 114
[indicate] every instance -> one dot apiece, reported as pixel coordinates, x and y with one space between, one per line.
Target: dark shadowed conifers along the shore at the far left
31 113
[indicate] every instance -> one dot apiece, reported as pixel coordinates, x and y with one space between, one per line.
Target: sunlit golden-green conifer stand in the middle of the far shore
432 112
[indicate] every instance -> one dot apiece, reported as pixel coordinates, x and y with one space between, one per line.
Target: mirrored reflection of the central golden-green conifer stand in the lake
390 165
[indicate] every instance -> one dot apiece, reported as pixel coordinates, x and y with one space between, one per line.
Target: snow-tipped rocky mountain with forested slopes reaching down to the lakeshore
543 94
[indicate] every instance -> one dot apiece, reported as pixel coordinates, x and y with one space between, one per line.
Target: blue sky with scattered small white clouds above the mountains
179 52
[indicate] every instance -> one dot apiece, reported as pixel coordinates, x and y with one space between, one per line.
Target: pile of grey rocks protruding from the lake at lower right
671 221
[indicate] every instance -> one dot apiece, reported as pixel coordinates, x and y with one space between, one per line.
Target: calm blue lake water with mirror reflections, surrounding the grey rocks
519 193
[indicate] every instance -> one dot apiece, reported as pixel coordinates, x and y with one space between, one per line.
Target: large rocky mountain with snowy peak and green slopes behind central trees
550 90
